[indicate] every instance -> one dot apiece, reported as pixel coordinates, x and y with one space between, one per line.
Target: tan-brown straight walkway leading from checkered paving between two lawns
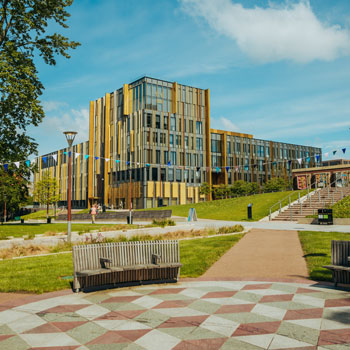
260 254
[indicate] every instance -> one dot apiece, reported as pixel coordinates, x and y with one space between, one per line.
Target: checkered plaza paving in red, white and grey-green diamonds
185 316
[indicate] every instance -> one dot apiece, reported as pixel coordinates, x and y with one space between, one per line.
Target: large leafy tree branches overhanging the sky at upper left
23 25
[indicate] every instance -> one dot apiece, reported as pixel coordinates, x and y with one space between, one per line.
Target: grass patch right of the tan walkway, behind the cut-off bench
317 250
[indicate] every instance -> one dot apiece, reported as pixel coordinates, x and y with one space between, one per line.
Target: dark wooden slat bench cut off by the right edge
340 265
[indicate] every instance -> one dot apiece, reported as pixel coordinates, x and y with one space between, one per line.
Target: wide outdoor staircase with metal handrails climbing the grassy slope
318 199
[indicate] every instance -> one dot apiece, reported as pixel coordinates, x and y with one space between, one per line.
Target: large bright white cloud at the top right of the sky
278 32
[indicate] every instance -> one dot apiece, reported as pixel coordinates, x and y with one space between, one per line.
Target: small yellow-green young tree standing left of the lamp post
46 191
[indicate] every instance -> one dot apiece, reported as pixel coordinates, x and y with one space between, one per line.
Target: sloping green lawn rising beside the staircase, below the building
235 209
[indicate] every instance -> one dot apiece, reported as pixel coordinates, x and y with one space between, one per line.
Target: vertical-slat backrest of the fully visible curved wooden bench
87 257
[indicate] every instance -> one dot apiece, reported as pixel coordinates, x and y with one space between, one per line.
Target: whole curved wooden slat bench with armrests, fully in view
117 263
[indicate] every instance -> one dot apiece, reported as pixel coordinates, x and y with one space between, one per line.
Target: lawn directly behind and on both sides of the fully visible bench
43 274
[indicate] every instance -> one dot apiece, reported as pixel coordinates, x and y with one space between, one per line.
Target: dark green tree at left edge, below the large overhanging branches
13 191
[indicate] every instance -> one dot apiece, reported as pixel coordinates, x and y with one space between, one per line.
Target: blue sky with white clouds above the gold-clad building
279 70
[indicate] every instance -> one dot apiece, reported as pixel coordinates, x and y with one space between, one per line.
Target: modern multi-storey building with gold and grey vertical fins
151 141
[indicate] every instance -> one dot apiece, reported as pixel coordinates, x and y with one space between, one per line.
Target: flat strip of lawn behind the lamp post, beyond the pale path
31 229
